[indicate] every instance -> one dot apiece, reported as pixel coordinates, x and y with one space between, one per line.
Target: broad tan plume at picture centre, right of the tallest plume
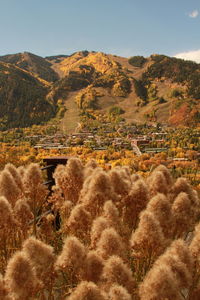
100 189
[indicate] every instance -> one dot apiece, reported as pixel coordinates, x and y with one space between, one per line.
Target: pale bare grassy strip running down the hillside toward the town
71 118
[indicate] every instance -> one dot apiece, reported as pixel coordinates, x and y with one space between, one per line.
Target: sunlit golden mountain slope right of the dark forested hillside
158 88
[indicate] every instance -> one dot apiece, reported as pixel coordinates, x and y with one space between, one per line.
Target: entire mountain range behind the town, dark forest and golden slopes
154 89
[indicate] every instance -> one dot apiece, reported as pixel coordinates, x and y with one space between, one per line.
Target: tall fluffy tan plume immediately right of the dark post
69 179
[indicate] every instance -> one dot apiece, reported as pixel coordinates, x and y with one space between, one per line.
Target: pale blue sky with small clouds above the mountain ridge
122 27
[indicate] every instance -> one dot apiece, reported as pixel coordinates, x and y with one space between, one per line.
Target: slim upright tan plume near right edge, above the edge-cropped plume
182 215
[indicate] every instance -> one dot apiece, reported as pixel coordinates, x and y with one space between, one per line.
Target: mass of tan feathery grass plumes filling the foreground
98 235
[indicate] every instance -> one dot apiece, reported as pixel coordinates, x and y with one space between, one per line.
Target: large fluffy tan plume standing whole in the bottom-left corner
20 277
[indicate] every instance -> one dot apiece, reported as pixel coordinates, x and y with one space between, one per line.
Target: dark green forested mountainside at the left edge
22 98
